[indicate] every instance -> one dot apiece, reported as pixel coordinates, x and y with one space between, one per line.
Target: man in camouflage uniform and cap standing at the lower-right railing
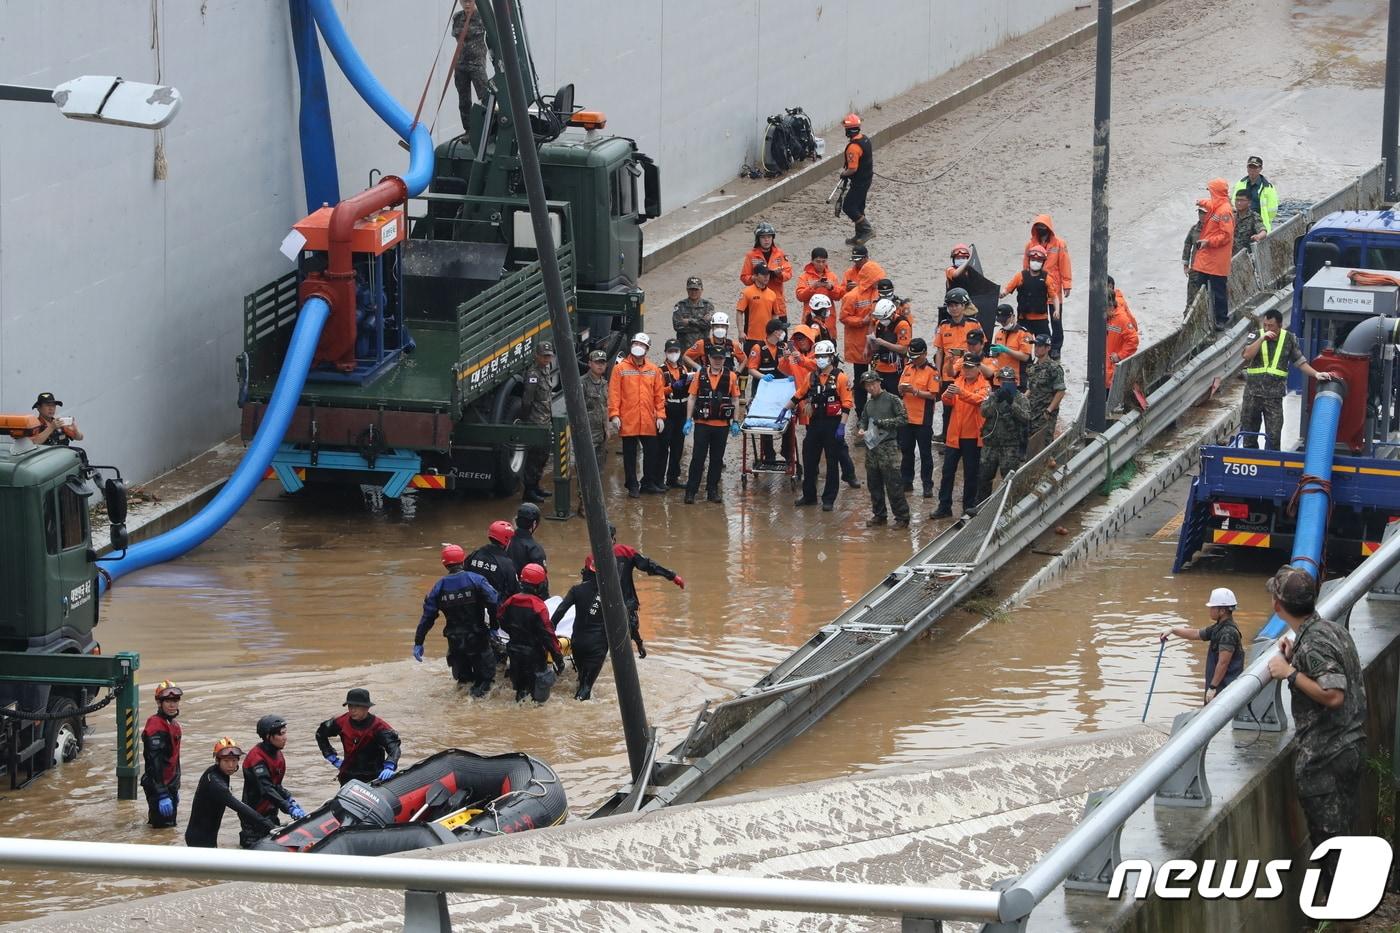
1331 738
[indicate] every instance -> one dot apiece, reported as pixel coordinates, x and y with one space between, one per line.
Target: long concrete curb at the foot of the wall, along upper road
794 183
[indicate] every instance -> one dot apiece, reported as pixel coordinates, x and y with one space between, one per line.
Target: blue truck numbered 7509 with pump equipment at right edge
1247 498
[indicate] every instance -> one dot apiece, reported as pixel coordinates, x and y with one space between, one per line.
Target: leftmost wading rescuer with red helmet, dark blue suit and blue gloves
468 604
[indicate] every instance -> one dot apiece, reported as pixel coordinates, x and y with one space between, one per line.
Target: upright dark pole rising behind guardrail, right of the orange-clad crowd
1097 414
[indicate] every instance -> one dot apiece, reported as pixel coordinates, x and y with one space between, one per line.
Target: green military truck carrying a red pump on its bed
451 306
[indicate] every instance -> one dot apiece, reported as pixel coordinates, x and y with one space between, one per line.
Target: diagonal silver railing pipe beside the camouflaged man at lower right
1056 865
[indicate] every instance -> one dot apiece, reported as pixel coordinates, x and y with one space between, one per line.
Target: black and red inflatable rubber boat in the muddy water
454 796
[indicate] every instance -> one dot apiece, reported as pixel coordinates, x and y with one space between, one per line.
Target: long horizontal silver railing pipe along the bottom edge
516 880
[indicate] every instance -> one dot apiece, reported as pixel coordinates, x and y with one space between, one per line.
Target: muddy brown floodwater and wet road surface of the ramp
299 599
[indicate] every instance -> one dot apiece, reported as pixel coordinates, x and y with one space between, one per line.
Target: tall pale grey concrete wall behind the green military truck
124 295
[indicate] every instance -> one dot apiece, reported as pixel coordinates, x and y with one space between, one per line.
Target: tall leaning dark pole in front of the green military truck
590 483
